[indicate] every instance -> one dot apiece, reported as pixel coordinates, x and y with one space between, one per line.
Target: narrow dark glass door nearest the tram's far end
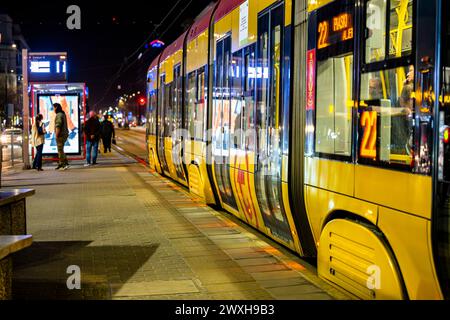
162 123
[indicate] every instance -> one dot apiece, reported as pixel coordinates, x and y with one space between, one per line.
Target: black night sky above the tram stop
110 32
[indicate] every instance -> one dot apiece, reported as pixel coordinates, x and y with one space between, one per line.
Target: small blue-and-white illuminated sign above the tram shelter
47 67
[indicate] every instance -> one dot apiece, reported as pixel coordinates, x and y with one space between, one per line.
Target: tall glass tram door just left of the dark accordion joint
270 56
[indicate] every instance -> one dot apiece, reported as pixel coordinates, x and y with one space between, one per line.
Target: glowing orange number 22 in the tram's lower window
369 139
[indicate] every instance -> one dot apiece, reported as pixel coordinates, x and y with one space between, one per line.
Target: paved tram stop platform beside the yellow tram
136 235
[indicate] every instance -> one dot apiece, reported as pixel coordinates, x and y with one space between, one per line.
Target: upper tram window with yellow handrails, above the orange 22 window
398 14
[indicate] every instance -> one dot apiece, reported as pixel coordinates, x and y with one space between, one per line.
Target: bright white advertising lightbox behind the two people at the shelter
71 106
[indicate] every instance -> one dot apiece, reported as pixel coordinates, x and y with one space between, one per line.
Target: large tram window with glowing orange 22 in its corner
386 116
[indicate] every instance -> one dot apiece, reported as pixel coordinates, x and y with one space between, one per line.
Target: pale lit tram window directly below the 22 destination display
334 106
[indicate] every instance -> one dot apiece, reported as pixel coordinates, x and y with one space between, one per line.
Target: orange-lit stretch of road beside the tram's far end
132 142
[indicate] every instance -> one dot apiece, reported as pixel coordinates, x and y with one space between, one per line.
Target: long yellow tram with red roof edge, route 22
322 124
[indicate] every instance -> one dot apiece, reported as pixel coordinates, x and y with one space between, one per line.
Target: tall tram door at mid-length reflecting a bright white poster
221 121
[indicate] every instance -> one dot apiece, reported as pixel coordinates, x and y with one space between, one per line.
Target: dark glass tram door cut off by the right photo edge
442 194
